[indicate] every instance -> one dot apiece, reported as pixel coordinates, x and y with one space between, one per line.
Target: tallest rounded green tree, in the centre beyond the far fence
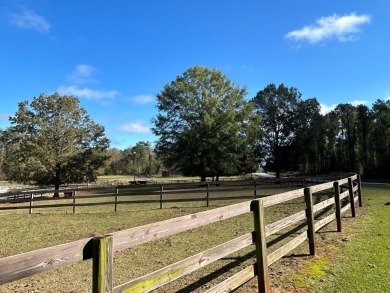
204 124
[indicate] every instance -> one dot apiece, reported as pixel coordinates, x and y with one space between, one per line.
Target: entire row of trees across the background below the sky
206 127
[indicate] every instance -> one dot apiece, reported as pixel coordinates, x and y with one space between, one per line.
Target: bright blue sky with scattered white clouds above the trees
117 55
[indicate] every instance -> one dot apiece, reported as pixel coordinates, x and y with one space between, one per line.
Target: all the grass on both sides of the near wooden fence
364 243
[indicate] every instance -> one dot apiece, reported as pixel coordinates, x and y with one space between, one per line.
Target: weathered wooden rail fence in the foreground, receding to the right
346 192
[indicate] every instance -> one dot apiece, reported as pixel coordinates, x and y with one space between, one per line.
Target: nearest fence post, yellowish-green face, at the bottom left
102 262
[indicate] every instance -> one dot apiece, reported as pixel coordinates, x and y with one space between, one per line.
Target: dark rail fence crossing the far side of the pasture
159 192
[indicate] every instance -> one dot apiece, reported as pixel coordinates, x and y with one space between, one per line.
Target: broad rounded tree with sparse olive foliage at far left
53 140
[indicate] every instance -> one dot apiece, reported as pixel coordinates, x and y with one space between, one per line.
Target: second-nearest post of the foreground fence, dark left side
257 208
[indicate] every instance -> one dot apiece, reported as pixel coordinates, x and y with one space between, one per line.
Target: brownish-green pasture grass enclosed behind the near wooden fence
48 227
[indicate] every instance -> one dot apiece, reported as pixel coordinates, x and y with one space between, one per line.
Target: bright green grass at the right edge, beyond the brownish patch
365 262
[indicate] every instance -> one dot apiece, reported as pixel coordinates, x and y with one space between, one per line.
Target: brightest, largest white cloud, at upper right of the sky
343 28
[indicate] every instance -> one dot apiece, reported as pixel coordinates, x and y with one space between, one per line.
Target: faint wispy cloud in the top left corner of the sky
29 19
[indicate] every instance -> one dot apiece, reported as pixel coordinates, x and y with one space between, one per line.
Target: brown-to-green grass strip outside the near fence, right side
355 260
